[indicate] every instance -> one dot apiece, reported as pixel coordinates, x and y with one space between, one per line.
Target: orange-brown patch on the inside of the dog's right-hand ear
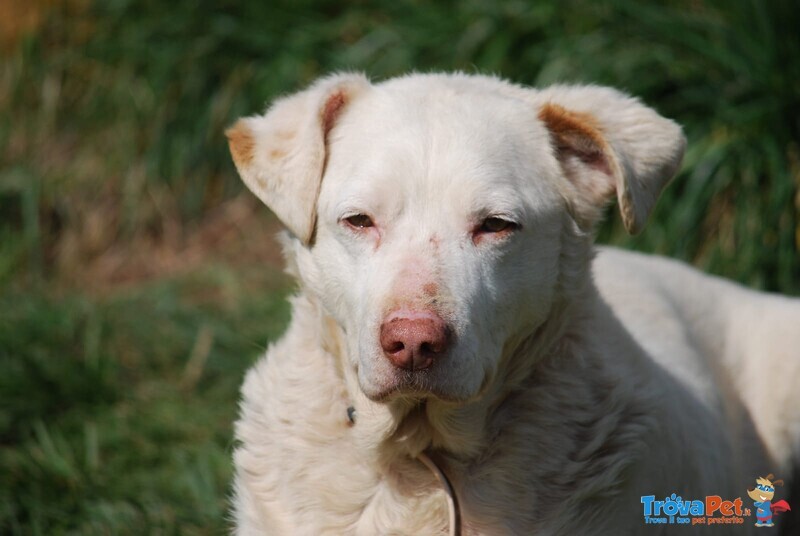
576 134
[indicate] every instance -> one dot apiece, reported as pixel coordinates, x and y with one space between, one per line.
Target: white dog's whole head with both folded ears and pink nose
428 212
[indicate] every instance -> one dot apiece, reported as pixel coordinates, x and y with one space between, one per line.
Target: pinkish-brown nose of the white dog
413 340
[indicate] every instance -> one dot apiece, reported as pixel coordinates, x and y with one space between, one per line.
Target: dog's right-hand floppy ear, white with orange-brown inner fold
608 142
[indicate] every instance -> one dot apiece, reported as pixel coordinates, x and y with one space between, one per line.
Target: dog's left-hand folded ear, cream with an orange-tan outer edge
281 155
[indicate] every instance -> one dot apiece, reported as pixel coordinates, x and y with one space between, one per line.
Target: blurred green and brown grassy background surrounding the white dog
138 279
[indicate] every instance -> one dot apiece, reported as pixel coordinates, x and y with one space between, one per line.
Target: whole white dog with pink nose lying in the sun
456 359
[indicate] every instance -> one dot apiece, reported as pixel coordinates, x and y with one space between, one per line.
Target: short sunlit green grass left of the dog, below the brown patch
116 413
